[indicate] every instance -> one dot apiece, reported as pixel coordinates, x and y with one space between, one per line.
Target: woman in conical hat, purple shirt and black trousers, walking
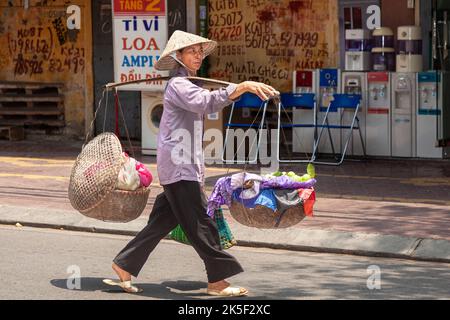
182 173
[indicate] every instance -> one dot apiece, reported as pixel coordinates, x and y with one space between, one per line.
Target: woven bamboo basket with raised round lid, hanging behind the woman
93 181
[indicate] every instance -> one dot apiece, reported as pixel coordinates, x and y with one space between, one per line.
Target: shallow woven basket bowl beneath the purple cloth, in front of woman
264 218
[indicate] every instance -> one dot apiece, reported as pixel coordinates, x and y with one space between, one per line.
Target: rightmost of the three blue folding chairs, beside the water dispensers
340 101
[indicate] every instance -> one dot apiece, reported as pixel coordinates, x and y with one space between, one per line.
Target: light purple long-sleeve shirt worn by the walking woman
180 139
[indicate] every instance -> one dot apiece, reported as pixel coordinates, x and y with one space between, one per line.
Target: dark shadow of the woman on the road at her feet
173 290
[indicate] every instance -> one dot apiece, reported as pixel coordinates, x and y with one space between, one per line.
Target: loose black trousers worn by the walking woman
181 203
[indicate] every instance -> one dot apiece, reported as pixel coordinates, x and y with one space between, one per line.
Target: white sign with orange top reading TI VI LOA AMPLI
140 34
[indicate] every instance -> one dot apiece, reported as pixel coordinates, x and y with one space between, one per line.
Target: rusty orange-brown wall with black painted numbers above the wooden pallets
35 45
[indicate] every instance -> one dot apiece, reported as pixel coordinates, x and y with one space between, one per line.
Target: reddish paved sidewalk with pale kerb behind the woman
383 208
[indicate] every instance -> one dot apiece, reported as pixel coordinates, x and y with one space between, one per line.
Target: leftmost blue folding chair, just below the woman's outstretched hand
250 101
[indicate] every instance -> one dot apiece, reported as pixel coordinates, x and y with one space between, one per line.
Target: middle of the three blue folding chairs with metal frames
299 101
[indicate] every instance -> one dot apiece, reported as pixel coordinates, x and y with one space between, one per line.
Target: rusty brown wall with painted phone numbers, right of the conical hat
265 40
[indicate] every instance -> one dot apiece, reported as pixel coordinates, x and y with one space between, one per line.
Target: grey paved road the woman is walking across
39 264
